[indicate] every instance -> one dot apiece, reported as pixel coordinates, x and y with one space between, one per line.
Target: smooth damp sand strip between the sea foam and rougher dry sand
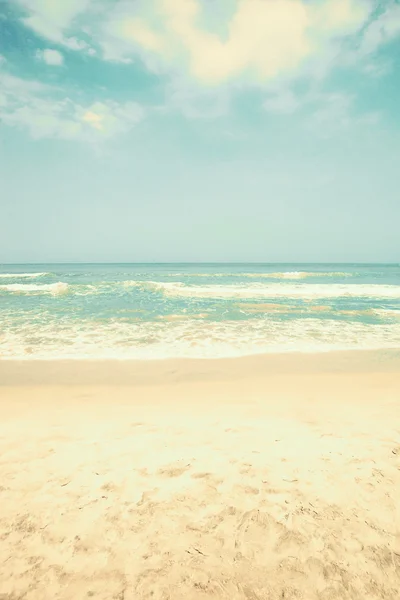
148 372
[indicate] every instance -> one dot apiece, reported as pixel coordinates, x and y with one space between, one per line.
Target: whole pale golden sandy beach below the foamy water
260 478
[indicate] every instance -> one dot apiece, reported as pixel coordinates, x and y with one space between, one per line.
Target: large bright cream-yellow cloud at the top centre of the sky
265 38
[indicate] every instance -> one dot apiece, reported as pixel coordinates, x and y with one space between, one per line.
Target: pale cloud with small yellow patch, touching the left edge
35 107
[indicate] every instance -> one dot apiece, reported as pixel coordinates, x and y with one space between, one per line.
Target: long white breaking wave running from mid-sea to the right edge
276 290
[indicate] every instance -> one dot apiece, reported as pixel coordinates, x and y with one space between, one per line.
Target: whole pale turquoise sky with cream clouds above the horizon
199 131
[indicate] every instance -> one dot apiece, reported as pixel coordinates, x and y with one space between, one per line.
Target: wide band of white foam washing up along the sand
192 338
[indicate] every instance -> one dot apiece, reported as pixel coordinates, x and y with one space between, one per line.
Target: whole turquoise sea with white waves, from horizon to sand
204 310
